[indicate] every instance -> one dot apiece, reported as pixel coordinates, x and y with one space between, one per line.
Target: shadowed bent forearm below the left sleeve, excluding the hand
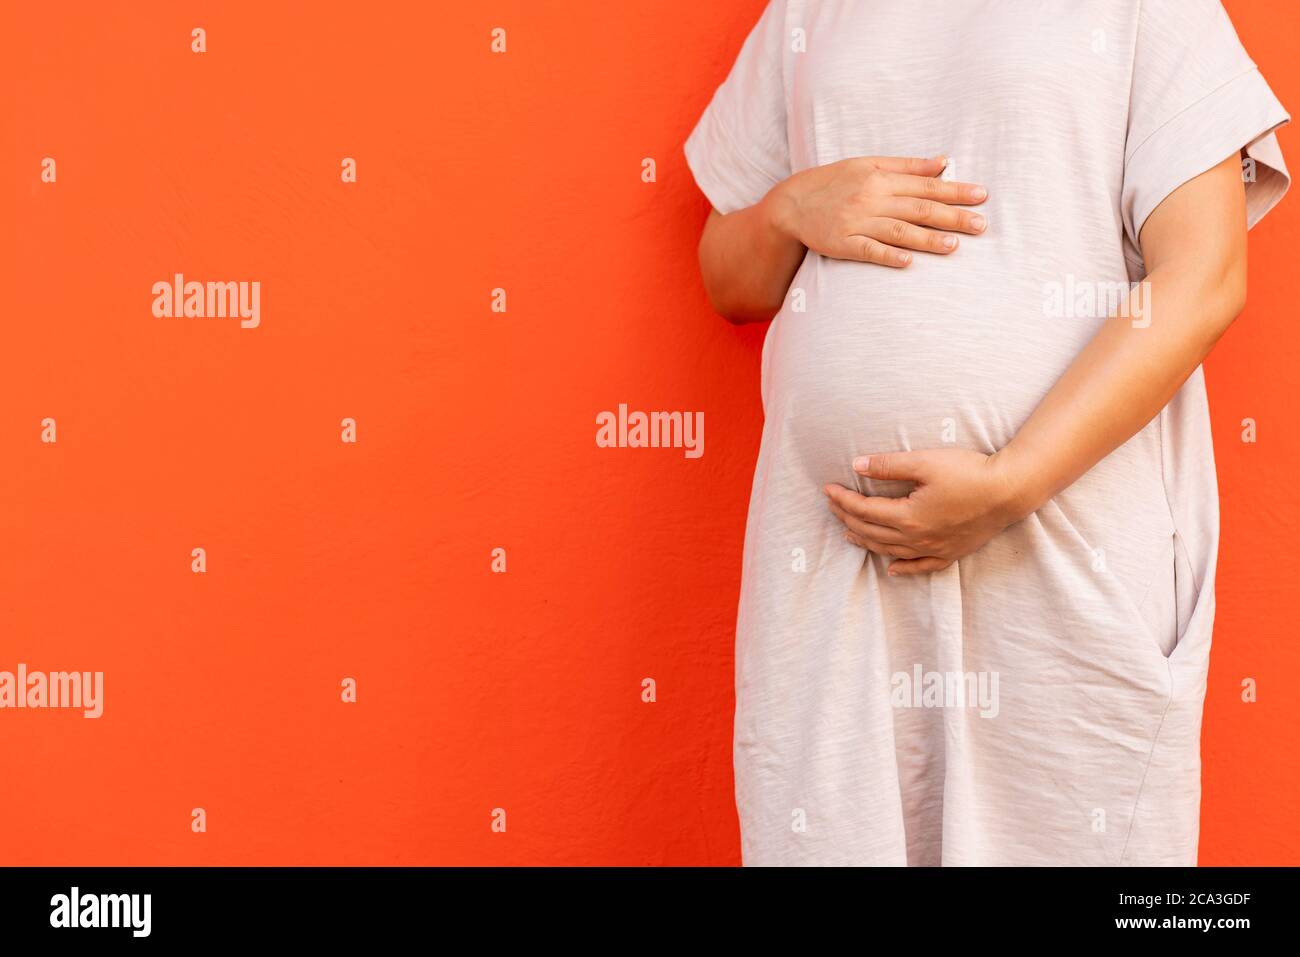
748 261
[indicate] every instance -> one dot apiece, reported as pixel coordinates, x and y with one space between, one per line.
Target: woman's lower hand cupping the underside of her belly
961 500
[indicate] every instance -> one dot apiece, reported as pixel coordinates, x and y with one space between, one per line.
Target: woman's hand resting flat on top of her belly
876 209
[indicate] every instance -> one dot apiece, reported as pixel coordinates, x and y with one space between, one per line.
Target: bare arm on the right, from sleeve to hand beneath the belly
1194 245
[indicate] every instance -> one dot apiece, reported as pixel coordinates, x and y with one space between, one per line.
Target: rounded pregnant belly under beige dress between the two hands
935 356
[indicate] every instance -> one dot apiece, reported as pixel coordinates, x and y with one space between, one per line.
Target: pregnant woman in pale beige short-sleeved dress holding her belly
980 564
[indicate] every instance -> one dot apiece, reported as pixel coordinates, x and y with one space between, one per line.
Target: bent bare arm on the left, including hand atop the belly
868 210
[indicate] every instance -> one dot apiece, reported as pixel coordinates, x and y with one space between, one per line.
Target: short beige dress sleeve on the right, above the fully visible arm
1197 99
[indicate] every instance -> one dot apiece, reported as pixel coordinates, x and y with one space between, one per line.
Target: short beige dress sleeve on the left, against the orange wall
740 148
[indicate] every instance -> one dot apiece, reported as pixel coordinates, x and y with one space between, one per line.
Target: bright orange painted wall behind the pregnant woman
476 431
